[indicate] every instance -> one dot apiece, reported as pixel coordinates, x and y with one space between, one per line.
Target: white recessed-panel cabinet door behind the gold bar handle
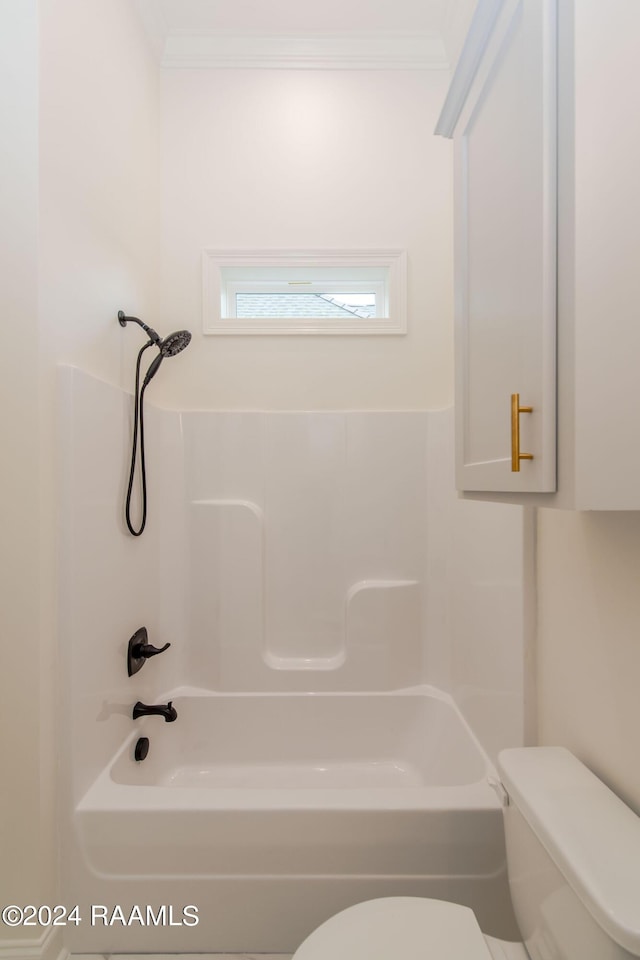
505 146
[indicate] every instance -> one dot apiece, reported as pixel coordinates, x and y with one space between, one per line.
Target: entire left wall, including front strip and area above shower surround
79 98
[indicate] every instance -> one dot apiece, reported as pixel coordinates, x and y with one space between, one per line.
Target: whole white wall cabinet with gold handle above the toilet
547 213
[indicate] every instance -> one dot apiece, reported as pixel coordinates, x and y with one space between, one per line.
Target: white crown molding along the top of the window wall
393 51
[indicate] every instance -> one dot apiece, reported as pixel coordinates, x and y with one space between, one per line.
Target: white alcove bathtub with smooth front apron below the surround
270 812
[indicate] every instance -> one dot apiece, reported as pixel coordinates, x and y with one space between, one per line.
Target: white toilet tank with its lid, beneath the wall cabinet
573 852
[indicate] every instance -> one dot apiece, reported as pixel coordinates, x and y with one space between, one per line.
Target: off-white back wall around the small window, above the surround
287 158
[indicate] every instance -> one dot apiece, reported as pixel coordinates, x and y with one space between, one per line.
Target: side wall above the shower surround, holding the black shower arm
99 182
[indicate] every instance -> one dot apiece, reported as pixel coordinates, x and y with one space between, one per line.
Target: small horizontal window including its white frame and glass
298 292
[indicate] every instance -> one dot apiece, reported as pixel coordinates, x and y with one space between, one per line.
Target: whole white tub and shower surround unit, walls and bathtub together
333 613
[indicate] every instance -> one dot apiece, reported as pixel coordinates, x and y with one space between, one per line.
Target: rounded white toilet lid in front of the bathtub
398 928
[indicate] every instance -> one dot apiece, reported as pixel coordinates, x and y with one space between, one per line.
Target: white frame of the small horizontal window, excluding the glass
213 292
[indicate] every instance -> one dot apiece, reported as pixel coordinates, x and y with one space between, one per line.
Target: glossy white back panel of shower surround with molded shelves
306 564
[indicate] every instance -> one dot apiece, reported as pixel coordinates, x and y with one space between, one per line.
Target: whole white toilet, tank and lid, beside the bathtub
573 857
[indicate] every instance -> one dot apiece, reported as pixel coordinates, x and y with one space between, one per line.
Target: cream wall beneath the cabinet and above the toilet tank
589 641
